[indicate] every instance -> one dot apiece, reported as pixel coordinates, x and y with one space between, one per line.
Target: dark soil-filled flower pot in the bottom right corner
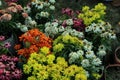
112 72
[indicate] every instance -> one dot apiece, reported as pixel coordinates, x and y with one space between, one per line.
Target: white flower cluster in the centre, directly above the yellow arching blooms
52 29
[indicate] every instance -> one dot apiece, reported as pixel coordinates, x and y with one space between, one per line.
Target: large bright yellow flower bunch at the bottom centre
48 67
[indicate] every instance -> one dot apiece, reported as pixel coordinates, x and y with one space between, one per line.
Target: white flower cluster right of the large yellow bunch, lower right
87 57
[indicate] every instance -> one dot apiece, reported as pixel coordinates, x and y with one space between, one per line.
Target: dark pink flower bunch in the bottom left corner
8 69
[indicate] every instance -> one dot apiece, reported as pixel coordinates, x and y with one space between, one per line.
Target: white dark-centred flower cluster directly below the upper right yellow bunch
103 29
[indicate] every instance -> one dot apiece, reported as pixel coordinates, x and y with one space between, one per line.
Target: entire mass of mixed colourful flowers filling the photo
53 47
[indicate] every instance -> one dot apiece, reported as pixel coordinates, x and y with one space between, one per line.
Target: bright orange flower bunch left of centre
33 40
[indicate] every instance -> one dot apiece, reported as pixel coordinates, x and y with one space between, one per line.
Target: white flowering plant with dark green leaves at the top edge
40 10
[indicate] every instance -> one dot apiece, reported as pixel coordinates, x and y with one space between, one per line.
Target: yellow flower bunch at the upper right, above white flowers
92 15
